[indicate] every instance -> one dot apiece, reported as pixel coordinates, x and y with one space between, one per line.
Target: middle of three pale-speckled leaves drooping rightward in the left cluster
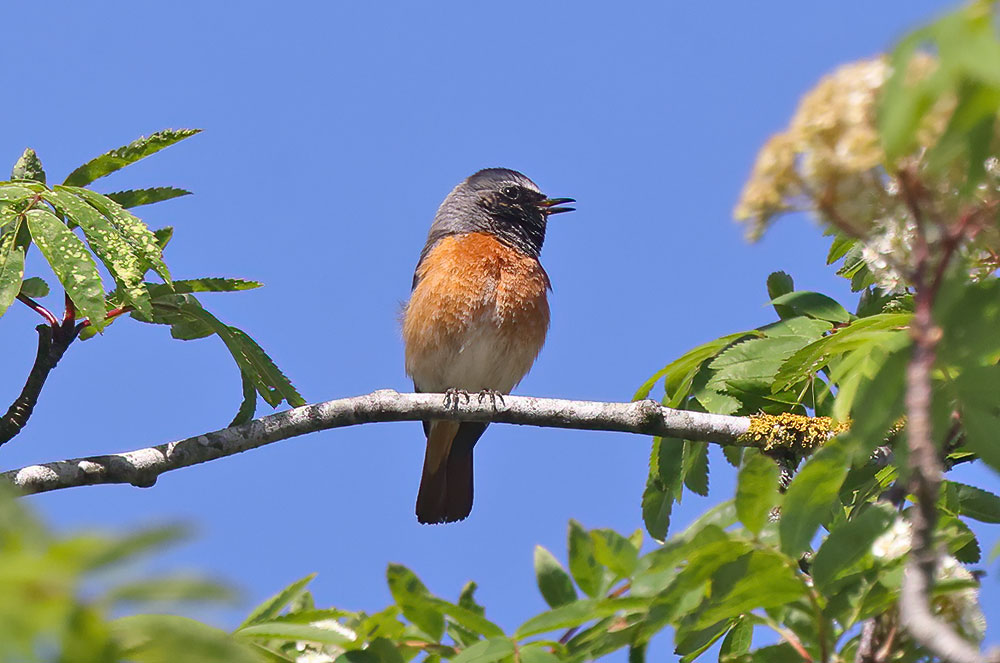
124 264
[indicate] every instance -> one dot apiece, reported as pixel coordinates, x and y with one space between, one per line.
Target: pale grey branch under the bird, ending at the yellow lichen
142 466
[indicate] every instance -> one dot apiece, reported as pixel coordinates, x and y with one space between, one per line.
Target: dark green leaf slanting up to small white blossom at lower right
850 543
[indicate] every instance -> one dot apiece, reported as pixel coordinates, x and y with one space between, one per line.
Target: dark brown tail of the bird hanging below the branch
446 484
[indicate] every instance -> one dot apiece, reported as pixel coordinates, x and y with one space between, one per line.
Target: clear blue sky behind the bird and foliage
332 132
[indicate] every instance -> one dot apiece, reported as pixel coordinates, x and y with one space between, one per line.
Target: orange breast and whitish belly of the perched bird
477 317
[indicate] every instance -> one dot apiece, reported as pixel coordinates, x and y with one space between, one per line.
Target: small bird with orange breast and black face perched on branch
476 319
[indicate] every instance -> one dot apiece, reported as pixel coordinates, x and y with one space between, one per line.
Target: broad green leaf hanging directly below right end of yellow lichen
811 497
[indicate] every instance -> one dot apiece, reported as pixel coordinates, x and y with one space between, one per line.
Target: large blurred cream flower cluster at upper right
830 161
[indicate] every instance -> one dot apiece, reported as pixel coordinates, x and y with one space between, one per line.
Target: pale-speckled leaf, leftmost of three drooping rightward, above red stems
71 263
